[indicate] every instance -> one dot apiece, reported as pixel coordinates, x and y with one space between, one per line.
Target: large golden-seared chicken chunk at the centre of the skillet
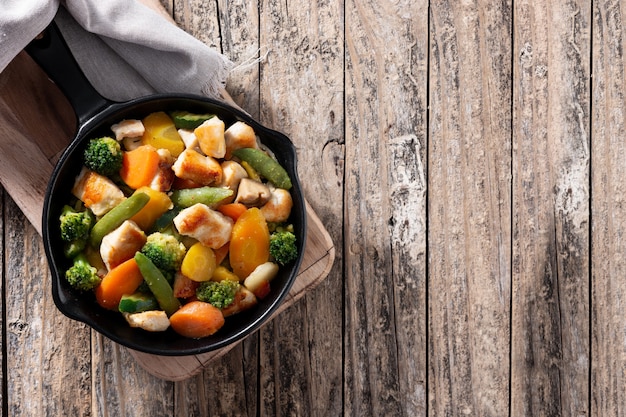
208 226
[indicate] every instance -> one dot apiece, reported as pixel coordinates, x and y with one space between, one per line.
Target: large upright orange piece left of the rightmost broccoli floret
249 242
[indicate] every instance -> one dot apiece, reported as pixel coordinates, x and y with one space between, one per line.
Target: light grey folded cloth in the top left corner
125 48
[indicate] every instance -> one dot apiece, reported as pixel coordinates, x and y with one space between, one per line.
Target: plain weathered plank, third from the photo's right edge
469 205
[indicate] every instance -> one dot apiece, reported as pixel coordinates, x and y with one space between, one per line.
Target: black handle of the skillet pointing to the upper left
50 51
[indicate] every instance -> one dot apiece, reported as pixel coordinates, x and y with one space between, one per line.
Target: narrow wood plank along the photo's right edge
607 206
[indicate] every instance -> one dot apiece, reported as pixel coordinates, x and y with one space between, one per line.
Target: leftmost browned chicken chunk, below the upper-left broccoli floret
98 192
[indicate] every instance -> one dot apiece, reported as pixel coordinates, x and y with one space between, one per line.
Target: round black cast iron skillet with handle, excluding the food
95 115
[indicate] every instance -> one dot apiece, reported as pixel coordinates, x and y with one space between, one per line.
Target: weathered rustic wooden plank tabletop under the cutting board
467 158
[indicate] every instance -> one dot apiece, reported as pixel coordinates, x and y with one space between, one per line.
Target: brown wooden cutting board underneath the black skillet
36 124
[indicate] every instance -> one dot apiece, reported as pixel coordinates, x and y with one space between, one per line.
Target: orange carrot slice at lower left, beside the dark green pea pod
123 279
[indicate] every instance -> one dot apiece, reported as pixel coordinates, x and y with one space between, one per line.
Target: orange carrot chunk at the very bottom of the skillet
197 319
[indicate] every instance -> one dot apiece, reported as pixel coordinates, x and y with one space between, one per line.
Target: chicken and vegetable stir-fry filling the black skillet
178 221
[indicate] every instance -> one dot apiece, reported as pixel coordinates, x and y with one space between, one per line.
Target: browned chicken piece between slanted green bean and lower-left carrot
121 244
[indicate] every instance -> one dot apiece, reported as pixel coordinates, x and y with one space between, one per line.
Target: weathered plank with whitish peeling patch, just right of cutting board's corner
385 213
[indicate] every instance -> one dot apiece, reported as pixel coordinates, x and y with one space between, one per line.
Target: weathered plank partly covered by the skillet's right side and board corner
301 80
